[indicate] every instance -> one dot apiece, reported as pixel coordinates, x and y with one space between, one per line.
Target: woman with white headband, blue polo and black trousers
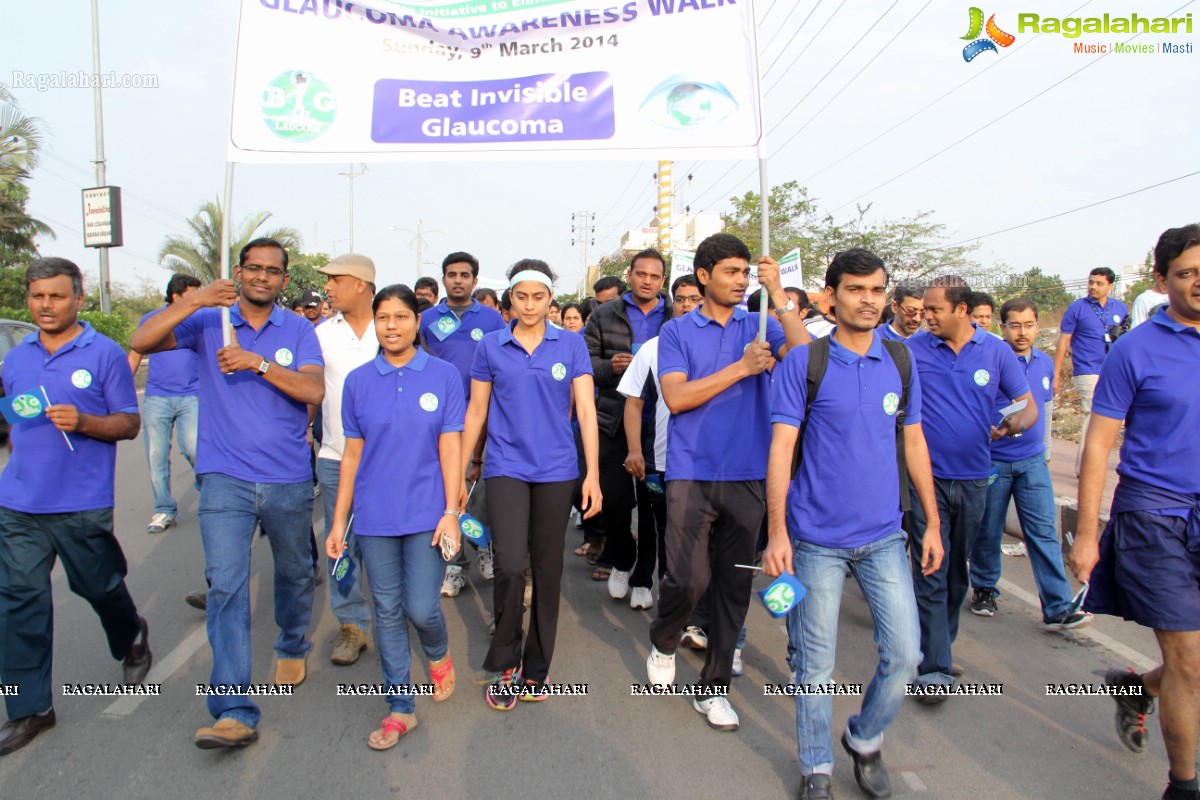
525 381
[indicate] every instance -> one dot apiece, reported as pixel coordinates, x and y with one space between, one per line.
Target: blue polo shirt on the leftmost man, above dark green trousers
89 372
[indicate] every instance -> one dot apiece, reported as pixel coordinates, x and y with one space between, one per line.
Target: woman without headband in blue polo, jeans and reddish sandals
404 416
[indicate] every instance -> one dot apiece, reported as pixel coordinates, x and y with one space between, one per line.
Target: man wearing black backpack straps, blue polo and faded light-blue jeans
850 446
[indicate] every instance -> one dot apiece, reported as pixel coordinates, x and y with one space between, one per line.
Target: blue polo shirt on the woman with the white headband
530 416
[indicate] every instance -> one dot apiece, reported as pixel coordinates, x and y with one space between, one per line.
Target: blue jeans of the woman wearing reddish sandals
406 585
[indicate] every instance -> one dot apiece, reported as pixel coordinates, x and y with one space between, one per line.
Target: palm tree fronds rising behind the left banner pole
200 256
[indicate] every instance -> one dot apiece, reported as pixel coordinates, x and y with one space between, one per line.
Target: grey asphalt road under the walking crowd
1021 745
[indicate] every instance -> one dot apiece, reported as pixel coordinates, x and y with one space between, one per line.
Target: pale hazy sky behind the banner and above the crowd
1039 131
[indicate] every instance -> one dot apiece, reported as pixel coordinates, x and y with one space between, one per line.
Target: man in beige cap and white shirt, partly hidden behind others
347 341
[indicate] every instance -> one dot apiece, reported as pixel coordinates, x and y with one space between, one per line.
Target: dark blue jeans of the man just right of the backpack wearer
961 506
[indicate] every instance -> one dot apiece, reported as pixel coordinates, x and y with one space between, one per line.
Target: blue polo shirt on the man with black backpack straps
850 444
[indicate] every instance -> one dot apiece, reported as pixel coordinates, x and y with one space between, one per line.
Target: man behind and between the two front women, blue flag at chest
452 330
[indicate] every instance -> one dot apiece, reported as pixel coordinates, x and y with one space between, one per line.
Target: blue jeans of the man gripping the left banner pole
230 512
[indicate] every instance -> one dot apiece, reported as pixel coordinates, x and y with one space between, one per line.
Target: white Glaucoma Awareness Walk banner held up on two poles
332 81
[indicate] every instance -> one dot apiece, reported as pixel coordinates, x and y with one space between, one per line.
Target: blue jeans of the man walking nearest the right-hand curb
1029 483
